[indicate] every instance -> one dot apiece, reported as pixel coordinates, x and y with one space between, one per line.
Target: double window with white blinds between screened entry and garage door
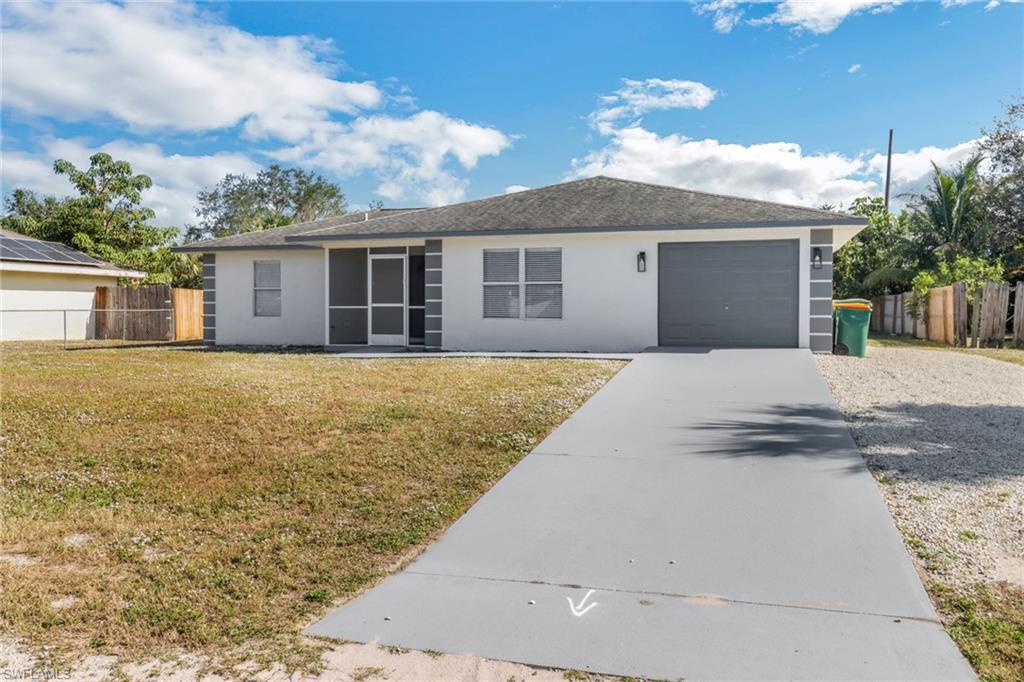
534 291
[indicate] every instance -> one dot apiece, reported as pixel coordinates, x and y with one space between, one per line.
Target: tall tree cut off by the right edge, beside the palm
1003 193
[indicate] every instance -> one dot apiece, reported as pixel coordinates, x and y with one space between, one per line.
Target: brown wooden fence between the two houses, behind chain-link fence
154 313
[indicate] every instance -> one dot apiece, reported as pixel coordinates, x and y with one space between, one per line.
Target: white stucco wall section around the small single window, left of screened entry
303 306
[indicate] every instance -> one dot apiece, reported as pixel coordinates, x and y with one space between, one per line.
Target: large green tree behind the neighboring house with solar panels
106 221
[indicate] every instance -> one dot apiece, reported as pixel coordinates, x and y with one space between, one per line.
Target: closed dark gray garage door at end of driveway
729 293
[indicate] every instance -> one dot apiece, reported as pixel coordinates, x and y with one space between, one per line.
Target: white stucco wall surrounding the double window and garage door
608 306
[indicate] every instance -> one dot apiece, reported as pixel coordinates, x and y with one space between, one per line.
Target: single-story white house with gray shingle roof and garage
600 265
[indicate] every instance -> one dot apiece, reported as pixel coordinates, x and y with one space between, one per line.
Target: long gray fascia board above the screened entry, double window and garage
314 237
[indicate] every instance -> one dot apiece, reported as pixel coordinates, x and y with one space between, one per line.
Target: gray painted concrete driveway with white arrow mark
705 516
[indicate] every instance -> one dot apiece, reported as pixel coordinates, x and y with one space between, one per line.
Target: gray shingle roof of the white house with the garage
598 204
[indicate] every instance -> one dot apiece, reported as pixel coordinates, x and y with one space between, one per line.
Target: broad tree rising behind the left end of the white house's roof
273 198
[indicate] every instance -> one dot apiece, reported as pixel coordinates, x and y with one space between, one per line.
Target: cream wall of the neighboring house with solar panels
31 305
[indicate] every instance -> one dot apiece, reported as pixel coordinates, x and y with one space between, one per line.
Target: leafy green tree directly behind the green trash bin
874 262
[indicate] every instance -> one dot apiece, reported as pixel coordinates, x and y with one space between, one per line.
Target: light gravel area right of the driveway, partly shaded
944 434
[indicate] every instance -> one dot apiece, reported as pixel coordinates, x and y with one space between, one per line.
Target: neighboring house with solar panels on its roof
39 281
